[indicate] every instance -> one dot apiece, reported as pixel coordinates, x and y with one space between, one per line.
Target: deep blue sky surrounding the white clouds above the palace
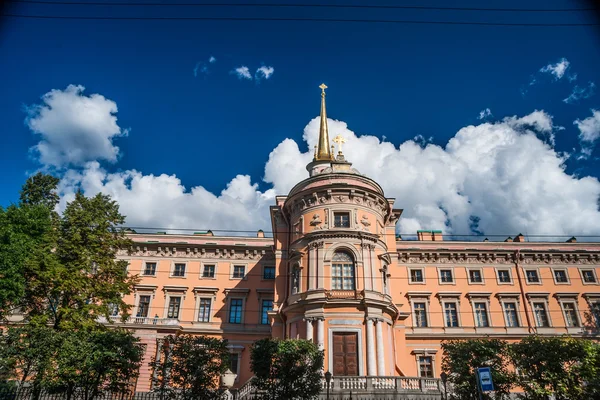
392 81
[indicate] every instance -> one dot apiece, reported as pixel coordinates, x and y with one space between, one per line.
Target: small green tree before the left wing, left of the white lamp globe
190 367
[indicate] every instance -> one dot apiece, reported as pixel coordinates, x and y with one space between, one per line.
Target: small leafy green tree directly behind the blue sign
463 357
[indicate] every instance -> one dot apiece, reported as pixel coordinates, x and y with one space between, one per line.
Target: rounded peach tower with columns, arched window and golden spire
335 243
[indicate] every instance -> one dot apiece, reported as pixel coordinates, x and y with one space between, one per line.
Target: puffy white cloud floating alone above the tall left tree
74 128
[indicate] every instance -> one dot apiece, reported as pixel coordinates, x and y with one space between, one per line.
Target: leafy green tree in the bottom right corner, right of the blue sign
563 367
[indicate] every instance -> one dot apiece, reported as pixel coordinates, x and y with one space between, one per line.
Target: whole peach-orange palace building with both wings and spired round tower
334 271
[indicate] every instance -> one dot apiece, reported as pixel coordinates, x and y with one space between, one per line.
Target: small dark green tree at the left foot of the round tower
287 369
